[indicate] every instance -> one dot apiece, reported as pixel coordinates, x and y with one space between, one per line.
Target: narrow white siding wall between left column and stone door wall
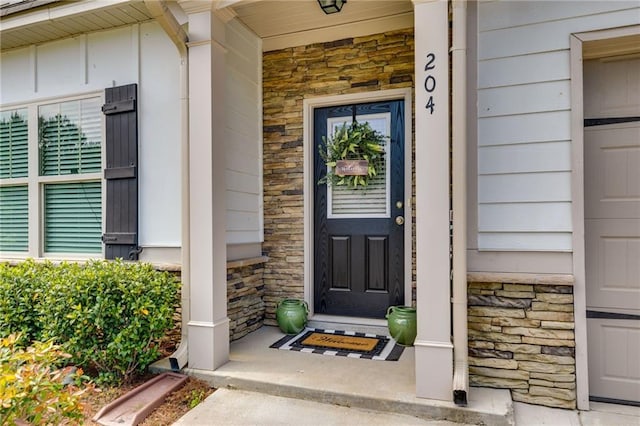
243 145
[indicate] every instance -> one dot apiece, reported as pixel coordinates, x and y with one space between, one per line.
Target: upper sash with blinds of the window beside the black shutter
69 137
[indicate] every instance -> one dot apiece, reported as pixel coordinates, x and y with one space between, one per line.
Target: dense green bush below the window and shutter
107 315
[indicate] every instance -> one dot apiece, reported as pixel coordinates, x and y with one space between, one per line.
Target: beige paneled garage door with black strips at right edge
612 227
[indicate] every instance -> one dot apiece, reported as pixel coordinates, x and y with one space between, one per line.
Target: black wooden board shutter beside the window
121 227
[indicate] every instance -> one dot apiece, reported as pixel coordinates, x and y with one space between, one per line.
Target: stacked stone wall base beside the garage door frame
521 337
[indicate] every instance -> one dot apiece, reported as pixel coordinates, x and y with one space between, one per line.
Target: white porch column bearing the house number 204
433 347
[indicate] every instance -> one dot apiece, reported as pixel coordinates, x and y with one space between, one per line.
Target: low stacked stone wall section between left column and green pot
245 292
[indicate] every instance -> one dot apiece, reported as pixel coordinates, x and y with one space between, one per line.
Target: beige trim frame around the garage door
579 42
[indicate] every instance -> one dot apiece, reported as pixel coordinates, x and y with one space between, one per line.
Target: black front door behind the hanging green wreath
359 233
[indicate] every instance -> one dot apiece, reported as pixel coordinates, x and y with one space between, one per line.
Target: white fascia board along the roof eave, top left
54 12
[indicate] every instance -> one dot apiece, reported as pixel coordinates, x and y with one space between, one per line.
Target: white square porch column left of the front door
208 327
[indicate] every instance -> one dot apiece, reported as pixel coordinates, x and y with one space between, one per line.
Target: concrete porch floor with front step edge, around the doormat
383 386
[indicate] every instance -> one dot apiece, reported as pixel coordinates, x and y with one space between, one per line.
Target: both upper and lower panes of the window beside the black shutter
70 143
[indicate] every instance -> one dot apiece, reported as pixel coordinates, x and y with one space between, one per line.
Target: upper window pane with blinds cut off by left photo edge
14 146
